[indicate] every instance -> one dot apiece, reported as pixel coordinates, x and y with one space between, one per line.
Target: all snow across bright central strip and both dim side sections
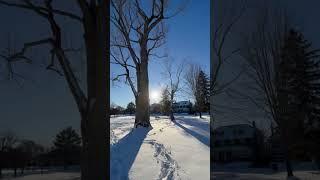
171 151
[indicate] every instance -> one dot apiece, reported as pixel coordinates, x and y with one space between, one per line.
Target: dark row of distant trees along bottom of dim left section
16 154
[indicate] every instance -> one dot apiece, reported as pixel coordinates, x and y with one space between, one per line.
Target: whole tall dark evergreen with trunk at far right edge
299 84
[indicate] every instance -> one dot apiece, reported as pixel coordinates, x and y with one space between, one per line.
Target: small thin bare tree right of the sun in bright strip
174 84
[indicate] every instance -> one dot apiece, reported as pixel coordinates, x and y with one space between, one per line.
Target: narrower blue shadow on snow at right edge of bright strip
200 126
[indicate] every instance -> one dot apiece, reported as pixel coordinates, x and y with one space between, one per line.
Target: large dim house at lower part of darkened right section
235 142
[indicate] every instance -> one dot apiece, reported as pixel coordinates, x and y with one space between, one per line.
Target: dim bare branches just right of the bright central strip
225 20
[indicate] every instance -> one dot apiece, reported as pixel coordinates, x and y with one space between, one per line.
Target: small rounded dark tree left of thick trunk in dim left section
67 145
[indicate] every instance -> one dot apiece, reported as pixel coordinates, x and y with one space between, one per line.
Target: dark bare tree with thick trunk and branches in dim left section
94 103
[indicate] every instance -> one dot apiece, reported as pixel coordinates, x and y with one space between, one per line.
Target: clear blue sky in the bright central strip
188 38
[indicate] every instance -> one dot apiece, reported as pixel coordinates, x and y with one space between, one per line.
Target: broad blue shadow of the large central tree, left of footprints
124 152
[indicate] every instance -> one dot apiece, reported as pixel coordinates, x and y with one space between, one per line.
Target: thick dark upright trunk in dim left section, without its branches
94 127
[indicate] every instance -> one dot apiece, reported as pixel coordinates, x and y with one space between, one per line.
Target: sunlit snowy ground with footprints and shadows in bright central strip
170 150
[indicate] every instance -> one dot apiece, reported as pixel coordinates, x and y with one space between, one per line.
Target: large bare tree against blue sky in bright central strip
138 33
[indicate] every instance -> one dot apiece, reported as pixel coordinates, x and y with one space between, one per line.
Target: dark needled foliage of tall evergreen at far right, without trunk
301 72
